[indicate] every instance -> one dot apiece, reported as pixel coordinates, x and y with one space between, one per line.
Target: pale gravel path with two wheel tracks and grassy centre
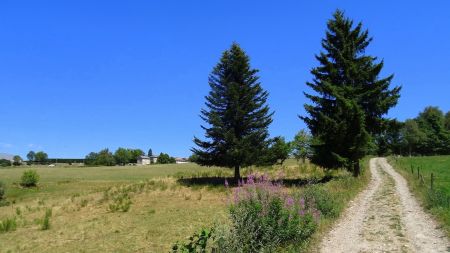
385 217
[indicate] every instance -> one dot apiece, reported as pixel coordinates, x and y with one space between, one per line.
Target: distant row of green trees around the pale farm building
121 156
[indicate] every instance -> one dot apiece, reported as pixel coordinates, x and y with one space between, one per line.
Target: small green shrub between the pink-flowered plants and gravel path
322 200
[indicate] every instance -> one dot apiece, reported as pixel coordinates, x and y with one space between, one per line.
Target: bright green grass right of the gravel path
417 171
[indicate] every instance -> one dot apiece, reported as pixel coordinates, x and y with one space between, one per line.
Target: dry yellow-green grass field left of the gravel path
162 209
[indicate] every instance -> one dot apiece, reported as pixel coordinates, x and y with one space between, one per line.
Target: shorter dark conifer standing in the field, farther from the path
237 115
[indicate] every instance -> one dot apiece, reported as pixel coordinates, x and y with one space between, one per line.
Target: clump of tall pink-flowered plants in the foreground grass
265 218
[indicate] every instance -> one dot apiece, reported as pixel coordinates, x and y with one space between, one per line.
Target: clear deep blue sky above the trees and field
78 76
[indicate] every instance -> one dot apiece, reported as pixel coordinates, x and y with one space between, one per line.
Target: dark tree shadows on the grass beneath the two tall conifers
220 181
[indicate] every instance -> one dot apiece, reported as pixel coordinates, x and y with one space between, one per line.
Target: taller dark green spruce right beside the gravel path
351 100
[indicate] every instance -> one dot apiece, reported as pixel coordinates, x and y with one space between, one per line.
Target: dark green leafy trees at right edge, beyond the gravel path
427 134
